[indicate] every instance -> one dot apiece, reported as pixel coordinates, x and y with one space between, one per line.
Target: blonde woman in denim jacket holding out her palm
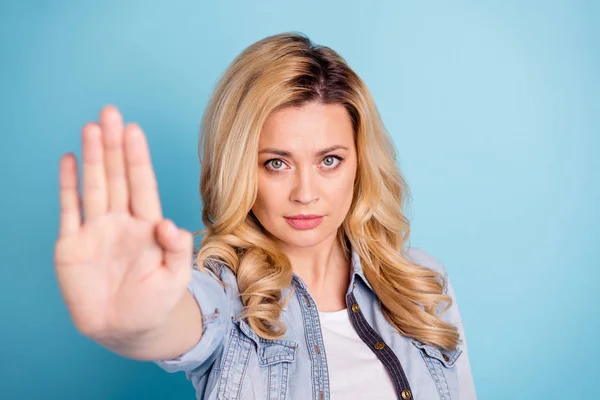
305 286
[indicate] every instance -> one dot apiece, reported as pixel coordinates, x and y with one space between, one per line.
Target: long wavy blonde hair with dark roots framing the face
289 70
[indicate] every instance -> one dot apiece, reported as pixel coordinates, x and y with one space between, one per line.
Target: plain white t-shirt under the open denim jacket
357 374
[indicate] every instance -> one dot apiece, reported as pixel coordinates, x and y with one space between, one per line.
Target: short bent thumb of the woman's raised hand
178 245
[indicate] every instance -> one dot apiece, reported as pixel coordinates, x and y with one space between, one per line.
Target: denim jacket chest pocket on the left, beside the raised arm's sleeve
272 367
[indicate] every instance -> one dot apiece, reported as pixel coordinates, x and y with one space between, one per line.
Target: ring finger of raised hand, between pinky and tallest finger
94 178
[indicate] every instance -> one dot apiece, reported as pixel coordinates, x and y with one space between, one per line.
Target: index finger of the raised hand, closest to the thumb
143 188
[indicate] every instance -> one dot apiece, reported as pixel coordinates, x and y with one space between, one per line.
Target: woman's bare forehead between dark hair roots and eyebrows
312 126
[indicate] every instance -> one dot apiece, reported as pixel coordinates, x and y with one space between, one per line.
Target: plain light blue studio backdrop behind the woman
494 108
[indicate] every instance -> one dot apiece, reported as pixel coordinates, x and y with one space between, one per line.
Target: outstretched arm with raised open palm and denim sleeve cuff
122 268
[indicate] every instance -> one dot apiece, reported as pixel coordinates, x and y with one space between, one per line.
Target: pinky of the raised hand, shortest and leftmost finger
70 209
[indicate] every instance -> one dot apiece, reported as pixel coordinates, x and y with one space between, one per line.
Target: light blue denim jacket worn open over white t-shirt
232 362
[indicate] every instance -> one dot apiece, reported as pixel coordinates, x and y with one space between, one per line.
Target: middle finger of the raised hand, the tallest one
111 123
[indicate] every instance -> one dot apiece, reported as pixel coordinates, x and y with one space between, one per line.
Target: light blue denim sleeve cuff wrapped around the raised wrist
214 304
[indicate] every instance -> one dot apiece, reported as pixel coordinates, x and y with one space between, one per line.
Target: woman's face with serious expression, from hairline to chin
307 166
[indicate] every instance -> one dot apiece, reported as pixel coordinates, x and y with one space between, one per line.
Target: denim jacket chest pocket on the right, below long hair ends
440 364
